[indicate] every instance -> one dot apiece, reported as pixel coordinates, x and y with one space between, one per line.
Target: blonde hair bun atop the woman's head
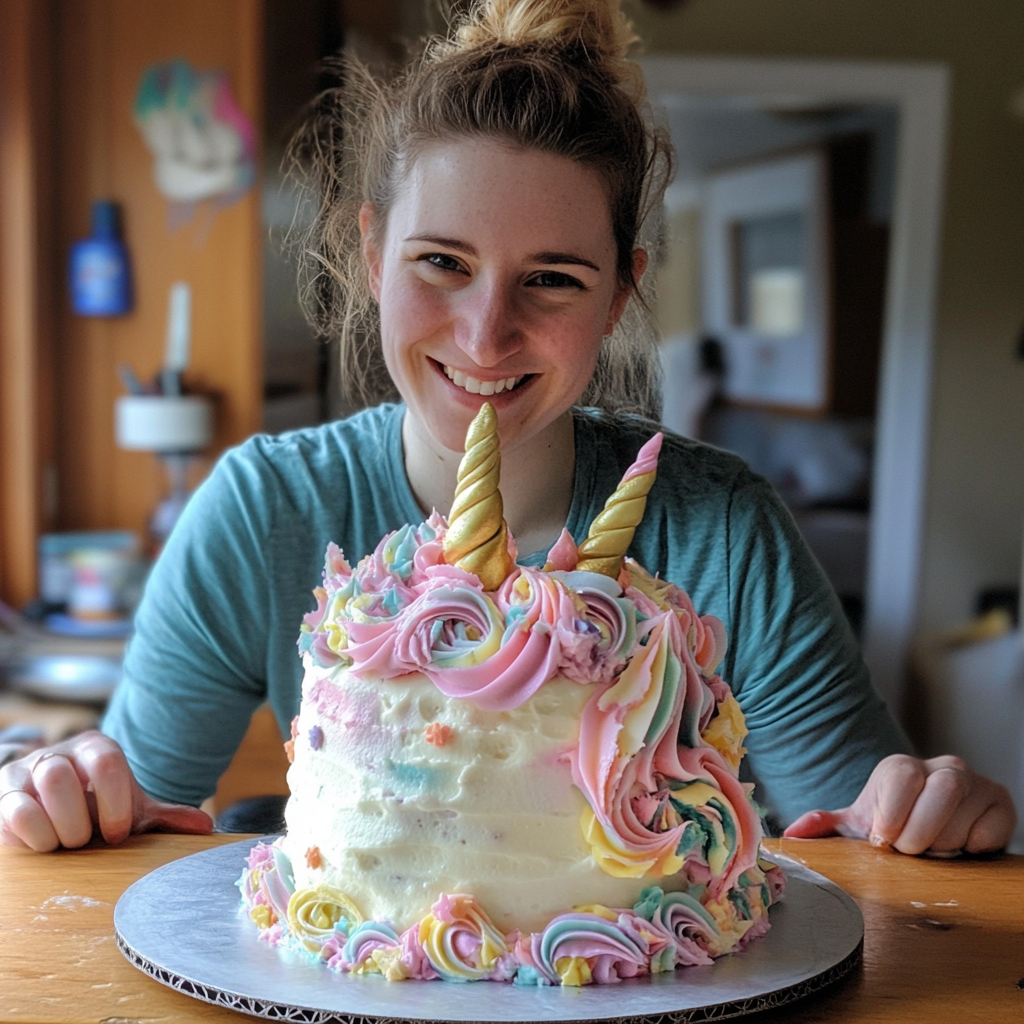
600 27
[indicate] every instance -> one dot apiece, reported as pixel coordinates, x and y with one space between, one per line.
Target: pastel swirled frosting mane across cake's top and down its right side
661 739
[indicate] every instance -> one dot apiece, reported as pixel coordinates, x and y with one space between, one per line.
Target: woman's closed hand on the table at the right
940 807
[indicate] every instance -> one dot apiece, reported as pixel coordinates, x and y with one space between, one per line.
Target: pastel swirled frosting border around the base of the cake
458 942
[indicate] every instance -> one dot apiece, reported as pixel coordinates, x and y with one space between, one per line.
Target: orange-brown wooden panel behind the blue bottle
104 48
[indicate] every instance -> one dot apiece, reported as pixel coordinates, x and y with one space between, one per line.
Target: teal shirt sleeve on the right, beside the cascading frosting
818 728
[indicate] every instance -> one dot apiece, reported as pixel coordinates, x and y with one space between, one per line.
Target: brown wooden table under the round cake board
945 938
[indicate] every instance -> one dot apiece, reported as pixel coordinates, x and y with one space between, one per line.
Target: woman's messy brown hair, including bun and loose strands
548 75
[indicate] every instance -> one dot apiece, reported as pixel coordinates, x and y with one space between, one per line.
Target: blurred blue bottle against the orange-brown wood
99 270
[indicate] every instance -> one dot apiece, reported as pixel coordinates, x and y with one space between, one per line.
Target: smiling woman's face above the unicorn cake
496 280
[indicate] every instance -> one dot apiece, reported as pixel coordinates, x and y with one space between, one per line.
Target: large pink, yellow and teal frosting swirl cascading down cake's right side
657 804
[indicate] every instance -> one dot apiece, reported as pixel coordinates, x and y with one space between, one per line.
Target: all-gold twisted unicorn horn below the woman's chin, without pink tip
478 538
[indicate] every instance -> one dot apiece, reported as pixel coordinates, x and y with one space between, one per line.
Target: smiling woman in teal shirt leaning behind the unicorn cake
495 226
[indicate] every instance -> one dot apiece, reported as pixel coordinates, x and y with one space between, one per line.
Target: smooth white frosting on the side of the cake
398 821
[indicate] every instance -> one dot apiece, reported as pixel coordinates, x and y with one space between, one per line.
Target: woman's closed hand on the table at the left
60 796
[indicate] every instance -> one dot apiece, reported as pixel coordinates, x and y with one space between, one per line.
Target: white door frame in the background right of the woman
914 100
